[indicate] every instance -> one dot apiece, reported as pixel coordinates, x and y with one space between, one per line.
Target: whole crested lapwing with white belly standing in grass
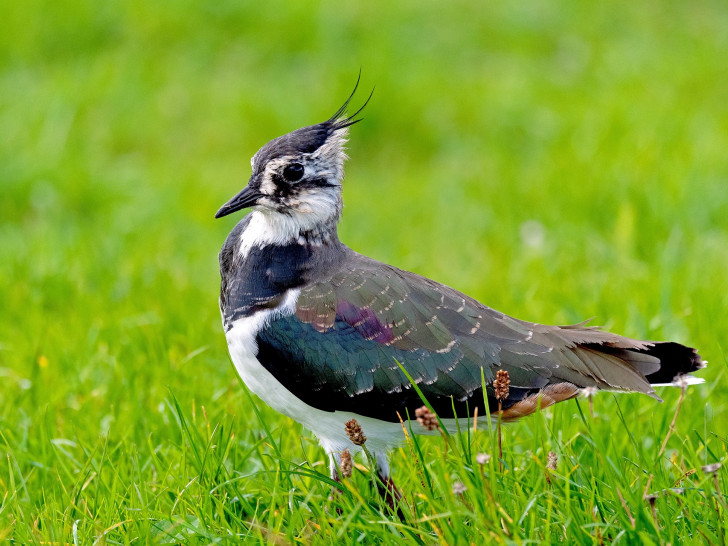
325 335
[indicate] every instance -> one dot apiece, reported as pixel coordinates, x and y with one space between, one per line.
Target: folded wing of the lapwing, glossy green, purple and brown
351 330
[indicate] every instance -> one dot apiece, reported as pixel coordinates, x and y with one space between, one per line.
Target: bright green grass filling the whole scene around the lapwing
555 160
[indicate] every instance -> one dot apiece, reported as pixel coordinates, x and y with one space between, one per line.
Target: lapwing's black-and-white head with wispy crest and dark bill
299 175
